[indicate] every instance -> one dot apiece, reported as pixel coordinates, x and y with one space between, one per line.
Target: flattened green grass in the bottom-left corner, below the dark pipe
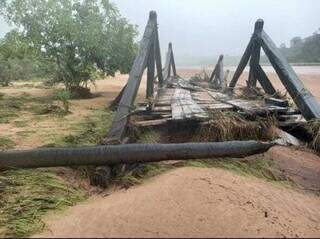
27 195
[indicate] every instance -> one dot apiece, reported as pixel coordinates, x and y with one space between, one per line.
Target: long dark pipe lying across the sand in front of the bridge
128 154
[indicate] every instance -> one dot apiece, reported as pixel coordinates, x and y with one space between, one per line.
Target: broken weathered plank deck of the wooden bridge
184 100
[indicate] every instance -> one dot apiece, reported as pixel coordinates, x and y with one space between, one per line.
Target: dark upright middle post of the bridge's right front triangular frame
256 49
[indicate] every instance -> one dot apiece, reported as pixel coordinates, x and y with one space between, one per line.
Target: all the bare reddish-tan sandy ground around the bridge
187 202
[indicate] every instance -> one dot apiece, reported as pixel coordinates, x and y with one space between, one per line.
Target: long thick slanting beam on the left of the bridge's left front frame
120 121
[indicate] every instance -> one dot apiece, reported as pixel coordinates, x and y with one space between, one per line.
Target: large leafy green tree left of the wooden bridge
82 37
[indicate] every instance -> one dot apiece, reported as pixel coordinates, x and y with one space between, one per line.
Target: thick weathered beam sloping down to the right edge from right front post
305 101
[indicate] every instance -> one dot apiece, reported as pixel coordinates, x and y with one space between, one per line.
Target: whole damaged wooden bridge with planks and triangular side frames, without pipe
170 98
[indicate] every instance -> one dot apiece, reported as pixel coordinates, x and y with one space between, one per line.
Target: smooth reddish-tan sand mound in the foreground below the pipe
193 202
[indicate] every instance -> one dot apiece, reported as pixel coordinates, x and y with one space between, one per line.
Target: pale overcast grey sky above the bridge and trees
211 27
